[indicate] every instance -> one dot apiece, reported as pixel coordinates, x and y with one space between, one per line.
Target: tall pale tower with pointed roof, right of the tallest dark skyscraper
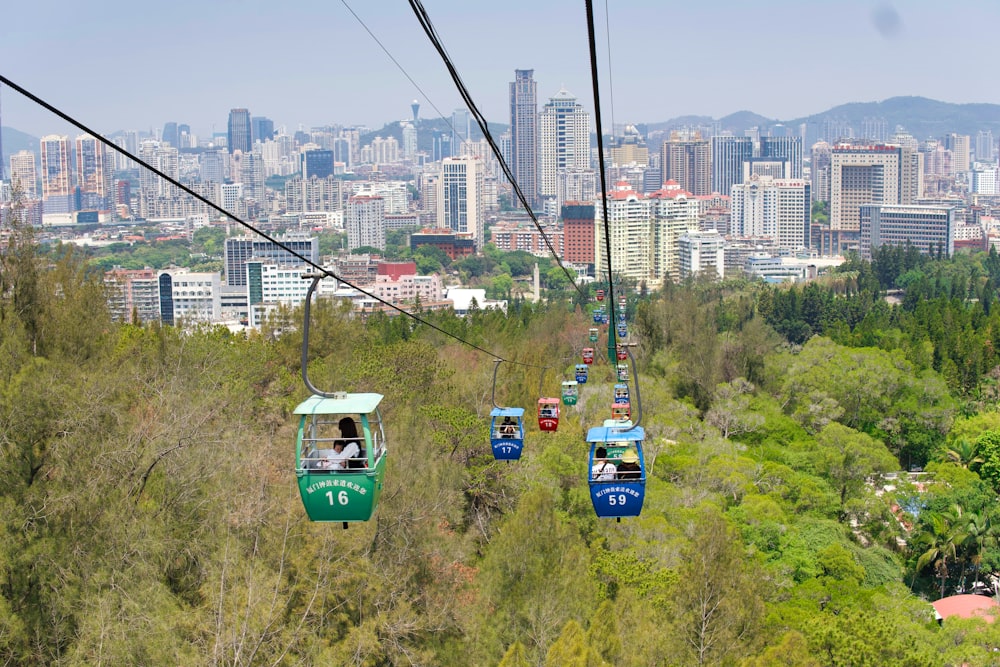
563 140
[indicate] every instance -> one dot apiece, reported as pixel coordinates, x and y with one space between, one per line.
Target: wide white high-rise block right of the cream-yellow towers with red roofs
776 209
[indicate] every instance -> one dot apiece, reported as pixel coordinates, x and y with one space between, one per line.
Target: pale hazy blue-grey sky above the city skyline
126 65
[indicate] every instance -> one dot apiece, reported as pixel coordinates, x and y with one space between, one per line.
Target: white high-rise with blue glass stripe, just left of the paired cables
459 197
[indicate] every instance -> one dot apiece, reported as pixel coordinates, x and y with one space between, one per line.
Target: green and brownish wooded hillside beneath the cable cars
150 515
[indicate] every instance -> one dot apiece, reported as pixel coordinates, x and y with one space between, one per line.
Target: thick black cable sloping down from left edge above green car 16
326 272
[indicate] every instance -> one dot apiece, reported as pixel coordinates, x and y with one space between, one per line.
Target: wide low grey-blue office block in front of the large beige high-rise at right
930 229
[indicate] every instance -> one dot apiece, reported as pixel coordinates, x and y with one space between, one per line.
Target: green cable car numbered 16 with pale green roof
334 487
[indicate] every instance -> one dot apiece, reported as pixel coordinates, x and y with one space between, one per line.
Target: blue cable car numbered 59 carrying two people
617 470
